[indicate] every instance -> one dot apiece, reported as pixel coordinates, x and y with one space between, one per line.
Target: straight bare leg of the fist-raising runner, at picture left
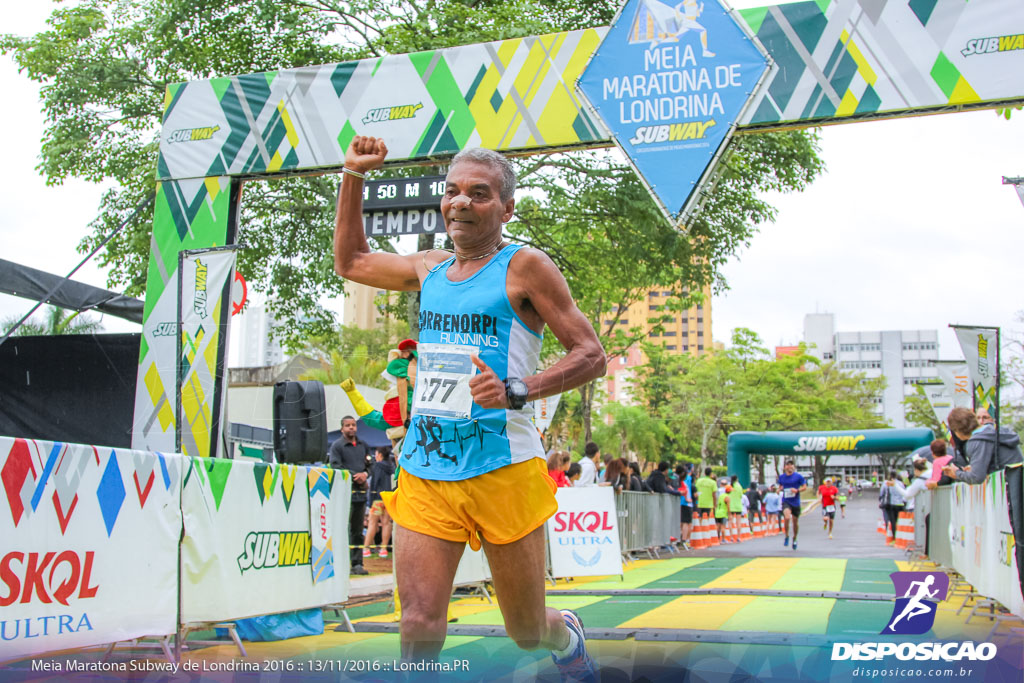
424 571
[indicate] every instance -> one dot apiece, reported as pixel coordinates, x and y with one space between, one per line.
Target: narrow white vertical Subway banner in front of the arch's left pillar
204 282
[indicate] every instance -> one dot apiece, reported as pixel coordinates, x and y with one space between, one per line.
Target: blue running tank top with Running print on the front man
475 313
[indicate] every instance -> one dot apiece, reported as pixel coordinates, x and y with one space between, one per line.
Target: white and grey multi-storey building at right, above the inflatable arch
903 357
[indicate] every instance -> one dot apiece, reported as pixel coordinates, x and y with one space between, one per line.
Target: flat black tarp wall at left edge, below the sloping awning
76 389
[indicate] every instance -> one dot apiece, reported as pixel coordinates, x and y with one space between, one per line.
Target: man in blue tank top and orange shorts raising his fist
474 464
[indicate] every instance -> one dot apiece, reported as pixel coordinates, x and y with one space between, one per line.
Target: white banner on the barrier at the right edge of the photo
984 543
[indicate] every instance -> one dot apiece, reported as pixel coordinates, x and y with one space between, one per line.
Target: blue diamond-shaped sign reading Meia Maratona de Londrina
670 81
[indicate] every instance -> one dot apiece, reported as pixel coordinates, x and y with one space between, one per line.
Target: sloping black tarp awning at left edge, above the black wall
32 284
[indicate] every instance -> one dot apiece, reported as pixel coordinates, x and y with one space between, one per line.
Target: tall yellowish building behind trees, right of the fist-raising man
689 332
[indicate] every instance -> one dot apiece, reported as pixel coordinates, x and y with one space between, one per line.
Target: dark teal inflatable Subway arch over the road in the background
857 443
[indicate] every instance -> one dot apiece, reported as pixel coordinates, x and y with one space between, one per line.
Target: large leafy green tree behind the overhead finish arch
105 66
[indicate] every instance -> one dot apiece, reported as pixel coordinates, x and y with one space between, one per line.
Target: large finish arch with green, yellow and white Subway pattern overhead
518 96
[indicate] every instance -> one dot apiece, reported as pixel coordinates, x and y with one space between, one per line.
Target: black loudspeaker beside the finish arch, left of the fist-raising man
300 422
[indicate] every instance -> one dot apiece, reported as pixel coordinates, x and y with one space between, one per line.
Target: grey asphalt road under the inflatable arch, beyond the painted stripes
855 536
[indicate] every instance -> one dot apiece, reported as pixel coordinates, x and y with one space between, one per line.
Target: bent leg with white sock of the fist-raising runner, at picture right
518 572
